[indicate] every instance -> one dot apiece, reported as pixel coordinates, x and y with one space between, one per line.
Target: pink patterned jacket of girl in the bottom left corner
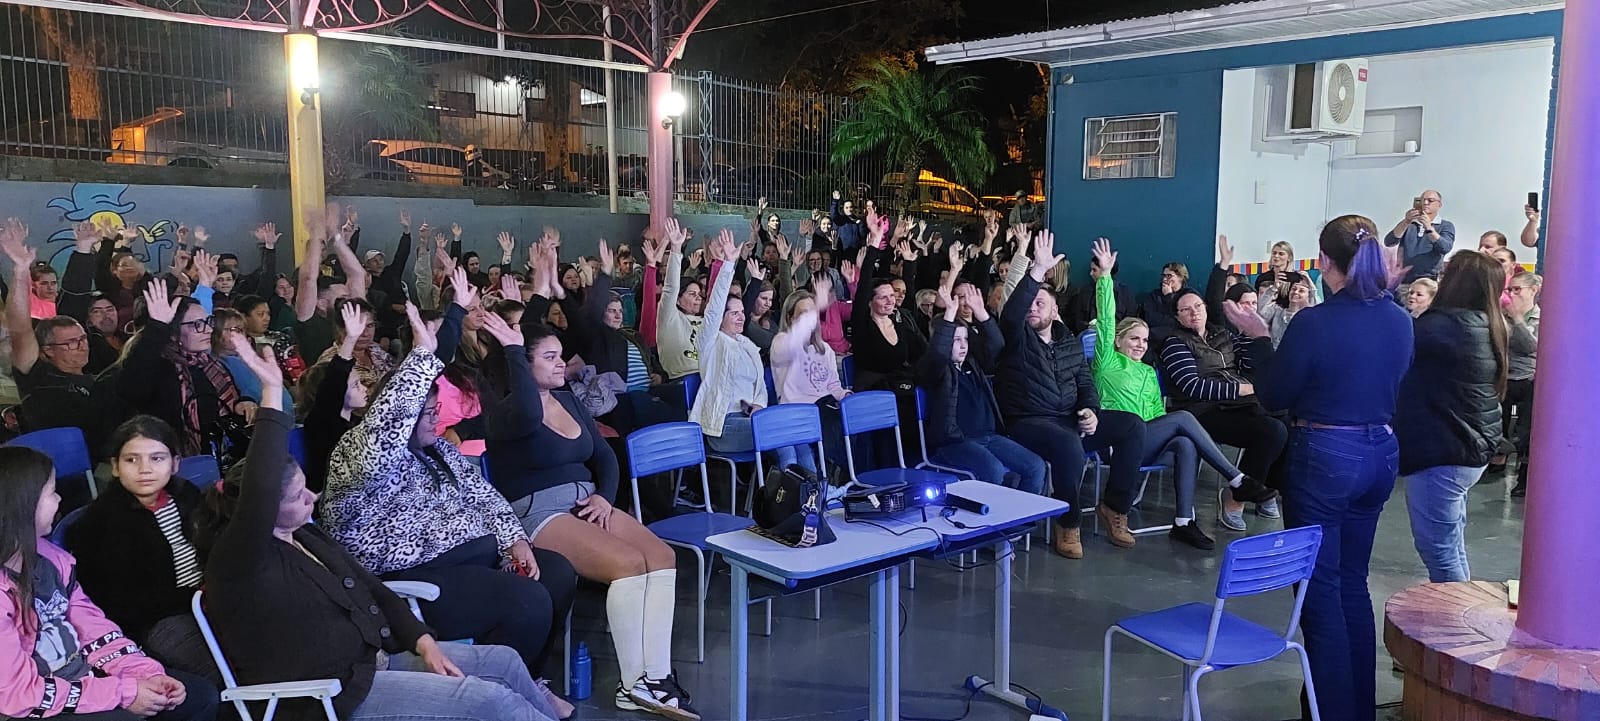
26 695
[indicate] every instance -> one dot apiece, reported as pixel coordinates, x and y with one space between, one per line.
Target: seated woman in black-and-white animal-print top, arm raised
410 508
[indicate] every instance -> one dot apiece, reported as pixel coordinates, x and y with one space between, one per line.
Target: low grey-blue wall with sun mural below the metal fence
231 215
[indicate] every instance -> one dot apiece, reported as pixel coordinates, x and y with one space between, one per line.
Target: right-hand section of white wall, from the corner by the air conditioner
1484 135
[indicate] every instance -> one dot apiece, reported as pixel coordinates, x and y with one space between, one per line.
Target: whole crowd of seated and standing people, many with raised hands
465 426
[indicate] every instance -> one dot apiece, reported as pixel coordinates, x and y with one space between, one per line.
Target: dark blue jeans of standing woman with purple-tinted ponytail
1340 480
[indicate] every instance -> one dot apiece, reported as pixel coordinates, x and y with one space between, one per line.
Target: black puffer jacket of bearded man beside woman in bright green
1036 378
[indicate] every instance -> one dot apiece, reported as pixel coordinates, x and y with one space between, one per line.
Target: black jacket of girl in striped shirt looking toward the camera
124 560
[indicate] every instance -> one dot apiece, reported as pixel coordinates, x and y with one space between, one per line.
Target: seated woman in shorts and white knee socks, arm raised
546 456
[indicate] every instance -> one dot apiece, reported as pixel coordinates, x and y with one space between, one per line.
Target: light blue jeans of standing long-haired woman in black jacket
1438 501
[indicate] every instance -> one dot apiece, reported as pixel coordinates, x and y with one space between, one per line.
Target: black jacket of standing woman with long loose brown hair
1449 412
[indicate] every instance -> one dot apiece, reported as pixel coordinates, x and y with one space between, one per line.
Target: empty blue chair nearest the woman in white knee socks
674 447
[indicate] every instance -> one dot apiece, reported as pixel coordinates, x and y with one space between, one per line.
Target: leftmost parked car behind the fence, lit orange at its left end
201 138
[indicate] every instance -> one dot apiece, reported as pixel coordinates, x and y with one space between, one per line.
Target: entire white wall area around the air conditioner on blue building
1484 135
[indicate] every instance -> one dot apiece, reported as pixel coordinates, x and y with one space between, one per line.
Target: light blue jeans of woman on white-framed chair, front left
497 688
